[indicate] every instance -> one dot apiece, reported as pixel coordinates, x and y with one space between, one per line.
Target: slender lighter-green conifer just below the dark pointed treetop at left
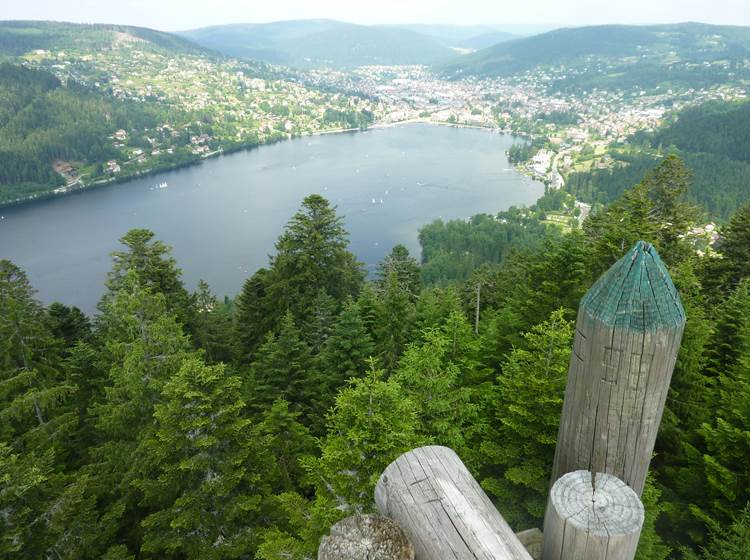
143 347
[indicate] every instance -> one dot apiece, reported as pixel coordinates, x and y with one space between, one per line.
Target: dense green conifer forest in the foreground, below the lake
175 425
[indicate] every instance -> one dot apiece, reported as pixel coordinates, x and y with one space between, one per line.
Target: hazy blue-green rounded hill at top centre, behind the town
319 43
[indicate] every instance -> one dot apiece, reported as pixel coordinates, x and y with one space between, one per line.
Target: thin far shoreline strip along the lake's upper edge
43 197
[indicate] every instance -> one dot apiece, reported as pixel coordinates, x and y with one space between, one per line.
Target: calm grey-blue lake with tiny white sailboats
223 217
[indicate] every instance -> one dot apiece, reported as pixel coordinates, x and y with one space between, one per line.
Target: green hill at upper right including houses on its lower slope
619 55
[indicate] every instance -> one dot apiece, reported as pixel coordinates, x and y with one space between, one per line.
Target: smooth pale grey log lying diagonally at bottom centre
444 512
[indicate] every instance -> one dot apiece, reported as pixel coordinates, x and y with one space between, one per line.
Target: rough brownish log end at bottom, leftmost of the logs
366 537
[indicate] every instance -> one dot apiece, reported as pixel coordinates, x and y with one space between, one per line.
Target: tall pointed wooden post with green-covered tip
627 337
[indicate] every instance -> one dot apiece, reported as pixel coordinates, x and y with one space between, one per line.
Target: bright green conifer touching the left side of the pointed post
524 414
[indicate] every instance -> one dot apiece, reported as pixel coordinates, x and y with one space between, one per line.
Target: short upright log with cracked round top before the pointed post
592 519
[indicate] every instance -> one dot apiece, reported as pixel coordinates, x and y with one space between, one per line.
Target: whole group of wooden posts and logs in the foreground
628 333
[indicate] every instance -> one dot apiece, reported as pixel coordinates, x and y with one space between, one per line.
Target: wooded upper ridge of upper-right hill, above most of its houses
692 42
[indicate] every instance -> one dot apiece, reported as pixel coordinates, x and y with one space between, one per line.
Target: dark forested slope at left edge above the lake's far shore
42 120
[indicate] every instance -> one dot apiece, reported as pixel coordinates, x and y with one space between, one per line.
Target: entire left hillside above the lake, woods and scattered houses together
85 105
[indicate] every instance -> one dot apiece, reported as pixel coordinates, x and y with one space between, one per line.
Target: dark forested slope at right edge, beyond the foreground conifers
713 140
